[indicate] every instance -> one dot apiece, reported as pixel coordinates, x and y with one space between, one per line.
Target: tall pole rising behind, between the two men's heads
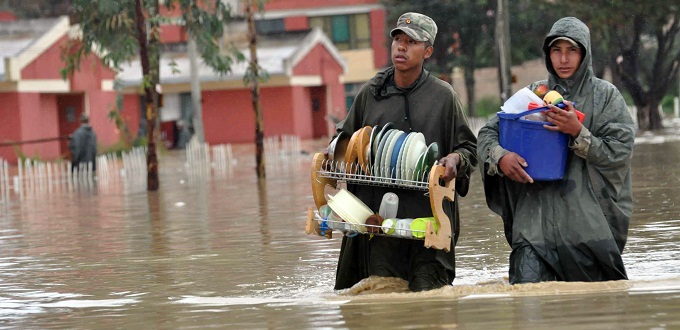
503 46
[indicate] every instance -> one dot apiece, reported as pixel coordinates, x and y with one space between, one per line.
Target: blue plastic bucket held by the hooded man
545 151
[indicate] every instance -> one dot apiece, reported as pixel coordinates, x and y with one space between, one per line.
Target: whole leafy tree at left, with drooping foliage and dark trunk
117 31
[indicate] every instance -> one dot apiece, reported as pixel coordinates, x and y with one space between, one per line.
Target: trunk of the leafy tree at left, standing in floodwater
150 97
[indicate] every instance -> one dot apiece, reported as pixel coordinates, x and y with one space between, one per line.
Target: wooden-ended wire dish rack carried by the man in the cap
325 172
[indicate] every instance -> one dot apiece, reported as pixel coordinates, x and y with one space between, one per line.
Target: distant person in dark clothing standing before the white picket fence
83 146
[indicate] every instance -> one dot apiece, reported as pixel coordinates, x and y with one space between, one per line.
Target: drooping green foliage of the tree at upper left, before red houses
108 29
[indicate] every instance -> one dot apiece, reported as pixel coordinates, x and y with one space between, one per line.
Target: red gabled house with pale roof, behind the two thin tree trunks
304 86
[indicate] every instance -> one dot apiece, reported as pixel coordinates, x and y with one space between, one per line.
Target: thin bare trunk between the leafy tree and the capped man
255 94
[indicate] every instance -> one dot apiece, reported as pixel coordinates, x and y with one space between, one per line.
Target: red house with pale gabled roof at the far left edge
37 106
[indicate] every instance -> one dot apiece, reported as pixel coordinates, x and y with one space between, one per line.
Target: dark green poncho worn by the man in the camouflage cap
431 107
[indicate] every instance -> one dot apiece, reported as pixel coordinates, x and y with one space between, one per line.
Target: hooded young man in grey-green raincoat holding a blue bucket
573 229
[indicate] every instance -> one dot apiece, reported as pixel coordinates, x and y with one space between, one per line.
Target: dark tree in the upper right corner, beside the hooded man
641 45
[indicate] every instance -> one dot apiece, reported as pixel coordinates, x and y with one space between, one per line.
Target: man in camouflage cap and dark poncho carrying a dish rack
409 97
